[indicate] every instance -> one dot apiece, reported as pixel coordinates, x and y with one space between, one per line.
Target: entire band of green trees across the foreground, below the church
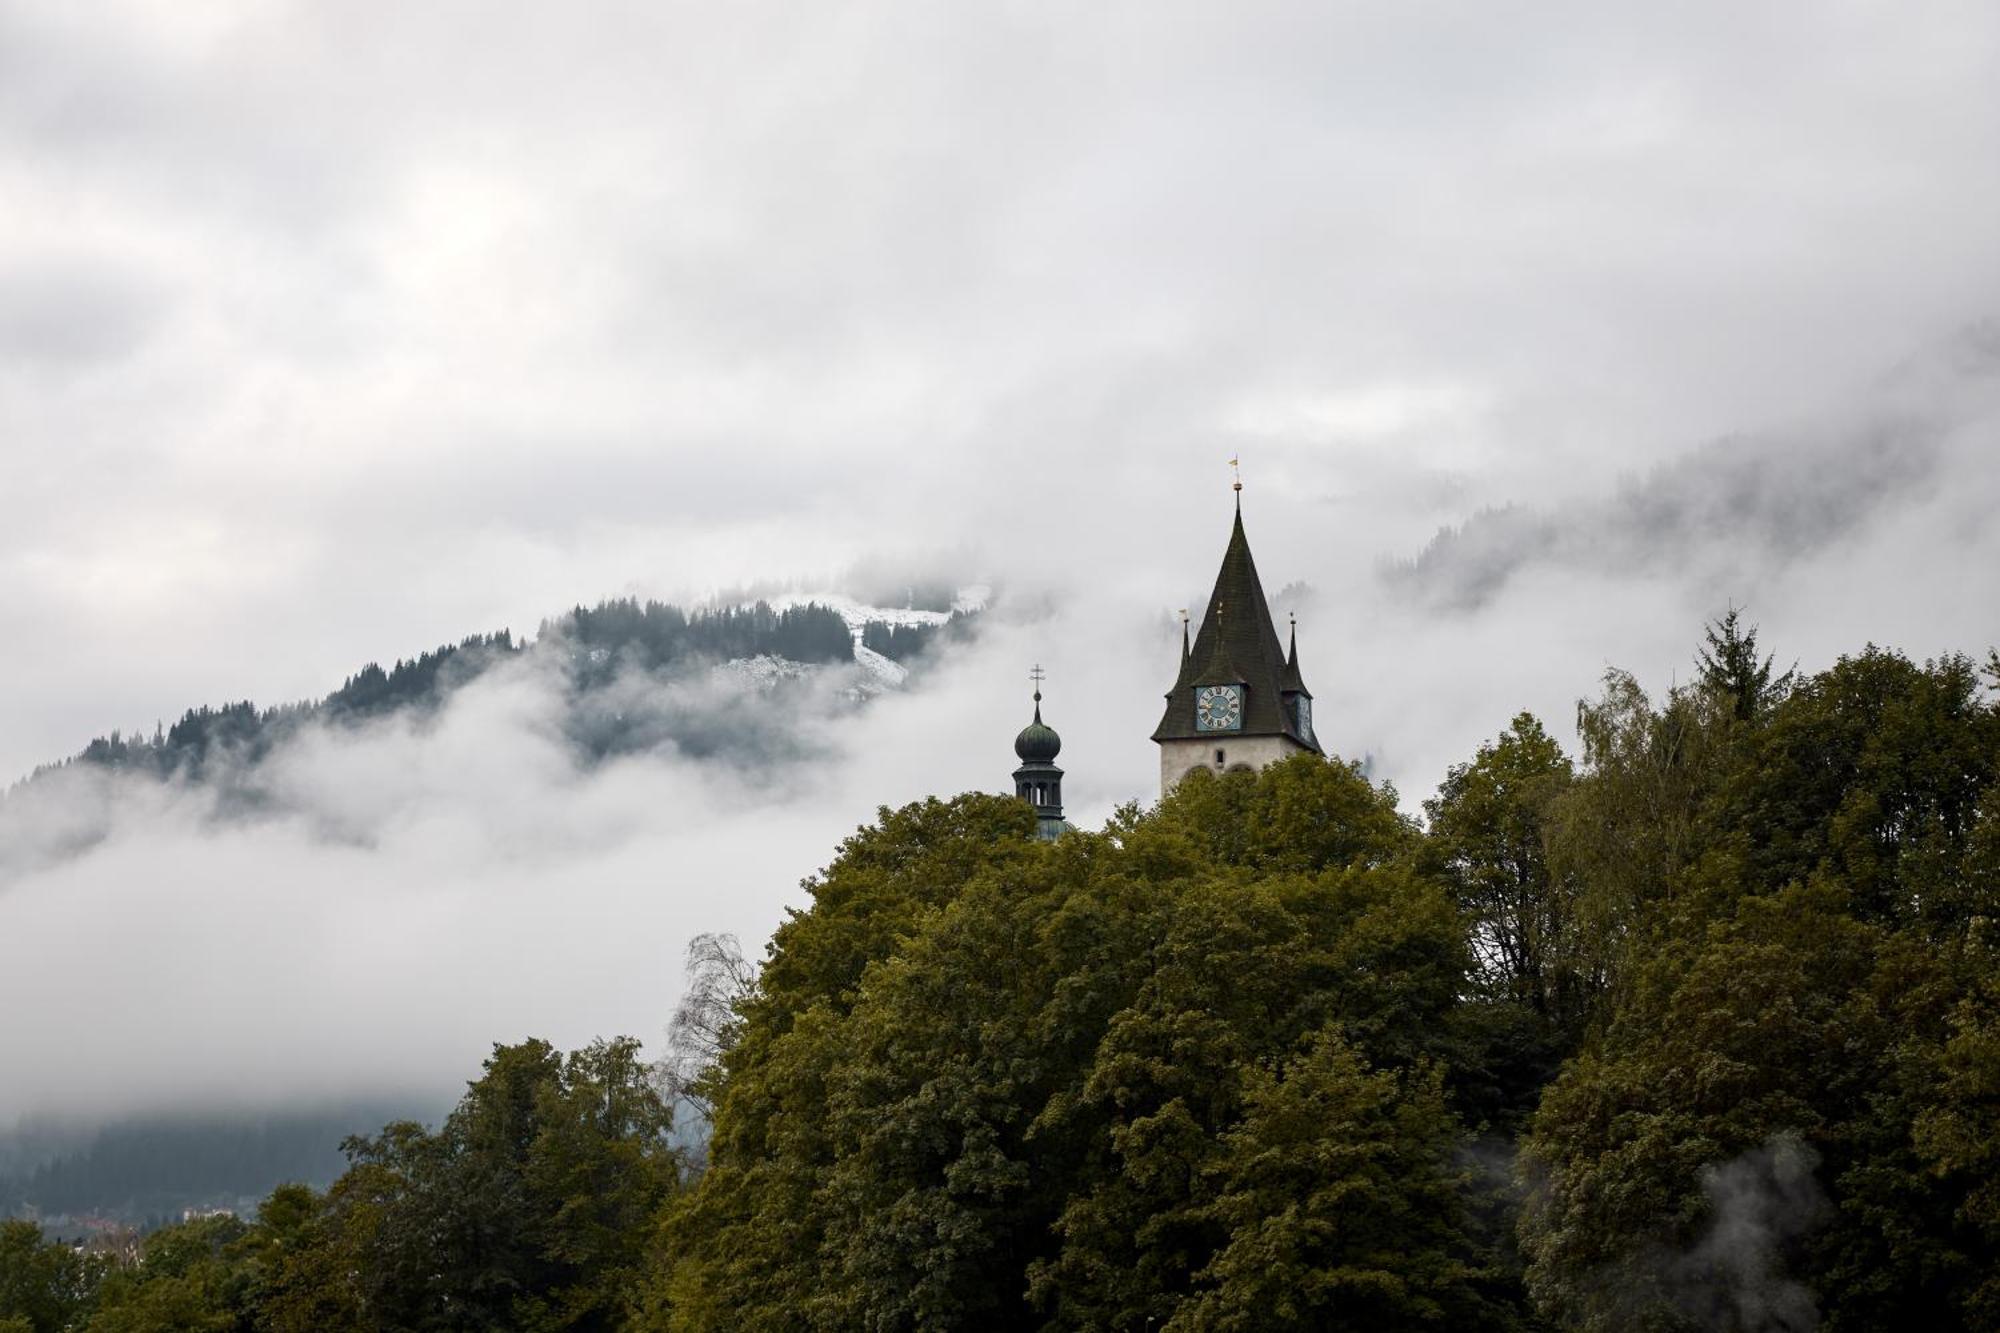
1699 1030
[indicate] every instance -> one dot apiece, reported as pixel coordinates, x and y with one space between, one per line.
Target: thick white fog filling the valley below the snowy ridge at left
413 890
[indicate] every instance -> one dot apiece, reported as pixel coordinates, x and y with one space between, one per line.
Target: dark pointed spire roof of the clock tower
1237 637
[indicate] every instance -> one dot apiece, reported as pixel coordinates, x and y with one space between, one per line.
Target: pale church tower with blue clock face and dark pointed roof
1239 702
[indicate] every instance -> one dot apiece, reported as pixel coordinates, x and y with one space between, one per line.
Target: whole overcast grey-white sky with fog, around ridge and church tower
337 331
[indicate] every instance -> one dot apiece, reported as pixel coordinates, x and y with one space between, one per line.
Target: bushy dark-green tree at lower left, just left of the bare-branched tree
531 1208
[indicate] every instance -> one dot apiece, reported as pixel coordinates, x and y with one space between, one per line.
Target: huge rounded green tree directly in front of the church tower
989 1082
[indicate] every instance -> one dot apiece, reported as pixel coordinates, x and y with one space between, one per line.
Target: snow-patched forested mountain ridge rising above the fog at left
735 684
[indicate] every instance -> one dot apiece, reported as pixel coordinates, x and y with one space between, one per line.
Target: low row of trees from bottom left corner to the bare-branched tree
529 1208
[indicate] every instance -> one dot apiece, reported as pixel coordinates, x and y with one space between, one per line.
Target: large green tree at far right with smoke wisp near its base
1811 1016
